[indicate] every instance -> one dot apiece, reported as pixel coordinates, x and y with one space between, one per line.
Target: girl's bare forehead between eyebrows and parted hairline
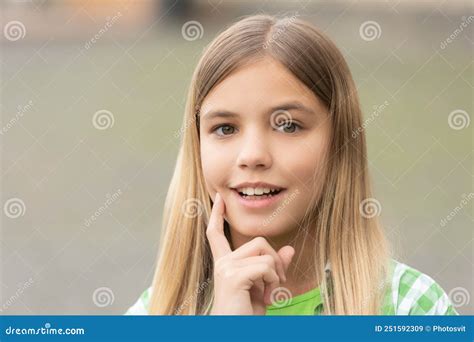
257 86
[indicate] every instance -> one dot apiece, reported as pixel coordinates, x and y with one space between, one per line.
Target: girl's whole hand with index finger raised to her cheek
245 278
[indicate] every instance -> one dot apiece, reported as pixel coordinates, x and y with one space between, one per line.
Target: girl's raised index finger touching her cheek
215 230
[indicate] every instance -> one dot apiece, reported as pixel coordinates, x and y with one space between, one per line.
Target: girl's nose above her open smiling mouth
254 152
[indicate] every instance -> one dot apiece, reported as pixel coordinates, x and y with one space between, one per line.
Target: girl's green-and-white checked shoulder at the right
412 292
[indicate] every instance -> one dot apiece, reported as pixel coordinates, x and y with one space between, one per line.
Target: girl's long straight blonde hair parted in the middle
348 239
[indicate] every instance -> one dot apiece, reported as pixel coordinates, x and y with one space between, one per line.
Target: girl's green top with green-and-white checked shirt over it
410 293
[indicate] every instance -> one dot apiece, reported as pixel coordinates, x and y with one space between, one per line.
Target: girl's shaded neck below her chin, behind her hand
301 275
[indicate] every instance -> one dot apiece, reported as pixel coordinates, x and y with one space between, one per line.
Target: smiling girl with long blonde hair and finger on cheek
269 210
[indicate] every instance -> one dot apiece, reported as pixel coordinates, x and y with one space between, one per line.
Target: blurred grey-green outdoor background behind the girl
92 98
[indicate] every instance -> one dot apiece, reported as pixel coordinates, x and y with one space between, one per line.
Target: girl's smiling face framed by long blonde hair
262 125
